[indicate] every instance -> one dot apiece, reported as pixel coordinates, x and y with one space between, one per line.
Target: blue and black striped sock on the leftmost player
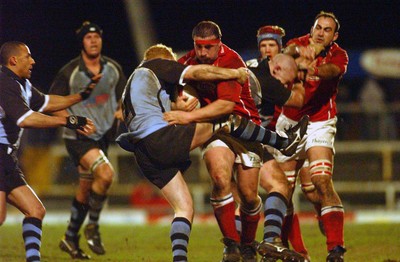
32 234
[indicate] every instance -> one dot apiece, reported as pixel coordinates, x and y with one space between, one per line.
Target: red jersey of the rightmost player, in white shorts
320 95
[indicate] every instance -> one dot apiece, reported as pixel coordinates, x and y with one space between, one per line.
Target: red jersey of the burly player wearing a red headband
227 90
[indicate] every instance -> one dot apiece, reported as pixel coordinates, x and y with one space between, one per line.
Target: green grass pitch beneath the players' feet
150 243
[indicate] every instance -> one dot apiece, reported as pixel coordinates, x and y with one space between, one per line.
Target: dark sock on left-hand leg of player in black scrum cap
78 214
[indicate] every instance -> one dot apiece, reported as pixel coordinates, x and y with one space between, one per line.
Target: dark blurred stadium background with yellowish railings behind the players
367 164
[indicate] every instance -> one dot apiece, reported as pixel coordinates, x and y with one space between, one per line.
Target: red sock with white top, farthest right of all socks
333 220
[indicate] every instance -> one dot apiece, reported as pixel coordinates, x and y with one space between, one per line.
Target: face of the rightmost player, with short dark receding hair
323 31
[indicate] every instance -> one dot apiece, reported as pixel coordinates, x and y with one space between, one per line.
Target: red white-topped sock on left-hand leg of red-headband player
224 211
